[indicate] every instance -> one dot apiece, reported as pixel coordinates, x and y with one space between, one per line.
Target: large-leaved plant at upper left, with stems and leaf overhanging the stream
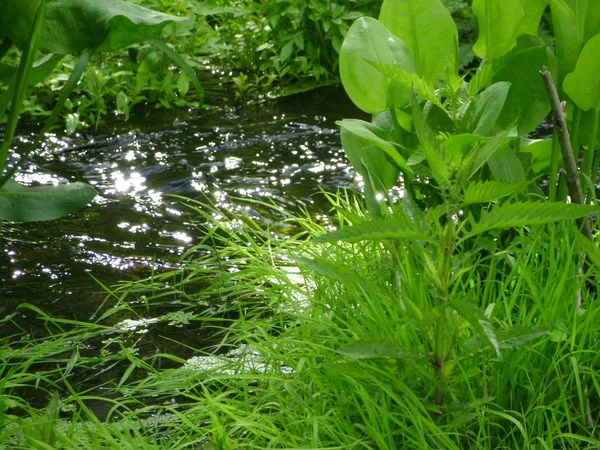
62 27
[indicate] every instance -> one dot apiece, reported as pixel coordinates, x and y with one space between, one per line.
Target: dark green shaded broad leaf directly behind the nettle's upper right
526 102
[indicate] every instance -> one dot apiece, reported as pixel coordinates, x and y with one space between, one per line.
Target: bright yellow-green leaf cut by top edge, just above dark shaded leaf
498 24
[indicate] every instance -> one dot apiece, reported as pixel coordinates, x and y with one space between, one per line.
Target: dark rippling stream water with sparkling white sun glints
281 151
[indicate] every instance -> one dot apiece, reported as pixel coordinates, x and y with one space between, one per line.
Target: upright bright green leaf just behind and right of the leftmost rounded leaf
429 32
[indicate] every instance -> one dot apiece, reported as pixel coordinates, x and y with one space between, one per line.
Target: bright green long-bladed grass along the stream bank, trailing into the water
289 363
